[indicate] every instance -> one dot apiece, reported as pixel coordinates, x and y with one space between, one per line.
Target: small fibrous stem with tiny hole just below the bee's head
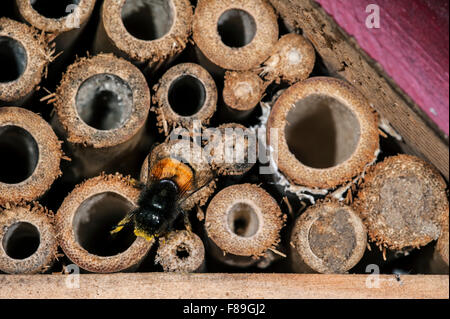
181 251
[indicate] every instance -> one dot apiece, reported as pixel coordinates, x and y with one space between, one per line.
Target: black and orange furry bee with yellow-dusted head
170 183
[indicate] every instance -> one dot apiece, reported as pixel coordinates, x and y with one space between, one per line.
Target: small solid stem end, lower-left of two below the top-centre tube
243 90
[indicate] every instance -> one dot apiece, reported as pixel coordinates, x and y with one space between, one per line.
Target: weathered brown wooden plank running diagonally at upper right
343 58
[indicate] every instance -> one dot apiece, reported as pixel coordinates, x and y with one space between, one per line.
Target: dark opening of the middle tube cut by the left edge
19 154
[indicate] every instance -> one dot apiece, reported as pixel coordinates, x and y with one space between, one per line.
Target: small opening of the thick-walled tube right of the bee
243 220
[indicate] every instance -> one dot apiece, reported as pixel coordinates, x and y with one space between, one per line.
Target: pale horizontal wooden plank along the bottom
219 286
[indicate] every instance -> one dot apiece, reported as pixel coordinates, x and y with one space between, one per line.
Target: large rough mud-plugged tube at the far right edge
403 203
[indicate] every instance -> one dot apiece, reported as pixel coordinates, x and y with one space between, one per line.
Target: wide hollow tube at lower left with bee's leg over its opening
86 217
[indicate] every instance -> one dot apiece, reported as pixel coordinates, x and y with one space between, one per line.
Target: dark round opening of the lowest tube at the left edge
21 240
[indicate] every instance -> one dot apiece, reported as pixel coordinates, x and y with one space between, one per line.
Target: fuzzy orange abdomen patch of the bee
173 169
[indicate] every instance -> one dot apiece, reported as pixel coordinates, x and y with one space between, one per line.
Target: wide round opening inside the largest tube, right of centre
321 131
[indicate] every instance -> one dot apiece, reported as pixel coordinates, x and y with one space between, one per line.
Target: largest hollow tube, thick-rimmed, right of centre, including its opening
325 133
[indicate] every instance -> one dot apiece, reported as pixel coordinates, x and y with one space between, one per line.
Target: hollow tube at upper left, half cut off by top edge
63 21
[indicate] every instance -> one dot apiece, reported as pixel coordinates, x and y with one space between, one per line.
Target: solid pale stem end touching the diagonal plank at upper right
292 61
